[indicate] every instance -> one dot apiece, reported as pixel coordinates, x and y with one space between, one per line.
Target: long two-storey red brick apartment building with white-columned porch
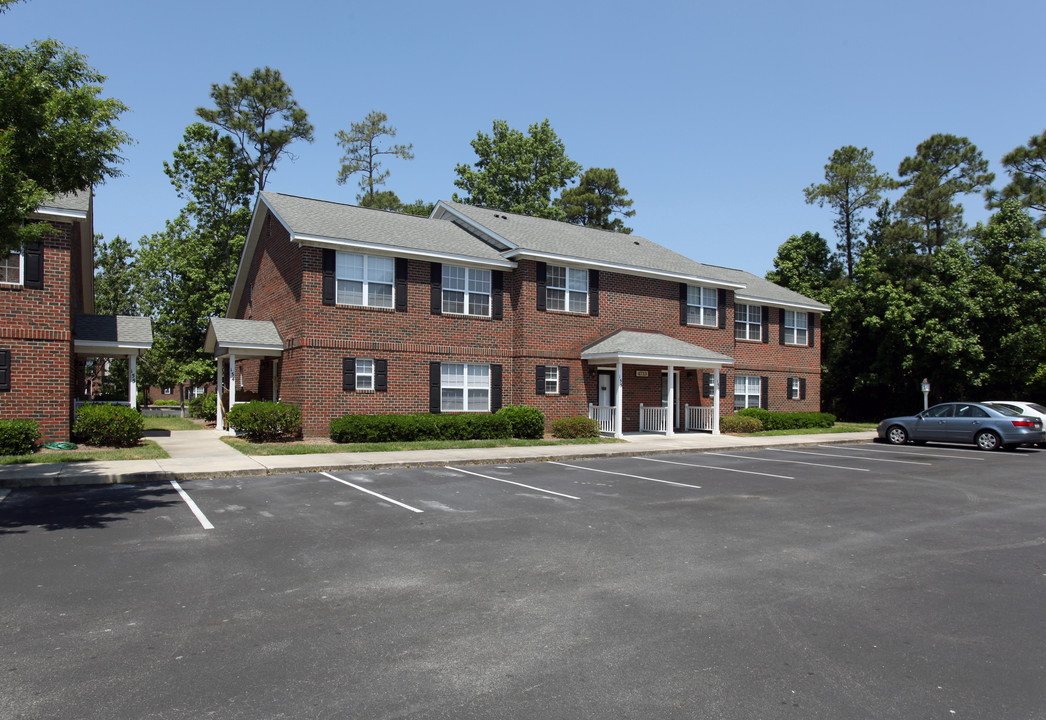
340 310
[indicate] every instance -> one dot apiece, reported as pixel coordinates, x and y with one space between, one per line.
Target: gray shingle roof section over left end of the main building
335 221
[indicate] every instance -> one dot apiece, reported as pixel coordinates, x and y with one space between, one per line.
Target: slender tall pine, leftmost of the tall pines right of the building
852 186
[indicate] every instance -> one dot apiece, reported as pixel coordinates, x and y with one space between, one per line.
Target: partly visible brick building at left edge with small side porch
47 327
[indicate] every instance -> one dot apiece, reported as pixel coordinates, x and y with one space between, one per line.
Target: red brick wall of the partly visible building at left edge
36 326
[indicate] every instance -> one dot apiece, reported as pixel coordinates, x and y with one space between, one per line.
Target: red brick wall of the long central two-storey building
286 284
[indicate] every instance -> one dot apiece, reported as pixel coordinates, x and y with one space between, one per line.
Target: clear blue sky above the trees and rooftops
716 116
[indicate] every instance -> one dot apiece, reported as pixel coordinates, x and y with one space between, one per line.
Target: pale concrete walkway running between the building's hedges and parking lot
202 454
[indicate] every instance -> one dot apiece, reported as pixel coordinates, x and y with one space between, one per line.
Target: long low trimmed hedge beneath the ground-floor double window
419 427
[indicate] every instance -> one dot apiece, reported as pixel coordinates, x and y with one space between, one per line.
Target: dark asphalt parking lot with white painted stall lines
853 581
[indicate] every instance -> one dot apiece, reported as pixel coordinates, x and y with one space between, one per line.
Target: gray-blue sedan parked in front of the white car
988 427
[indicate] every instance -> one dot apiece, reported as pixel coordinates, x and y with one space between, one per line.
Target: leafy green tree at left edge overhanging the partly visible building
58 134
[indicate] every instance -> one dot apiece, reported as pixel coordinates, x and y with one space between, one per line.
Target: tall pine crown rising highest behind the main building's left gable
252 109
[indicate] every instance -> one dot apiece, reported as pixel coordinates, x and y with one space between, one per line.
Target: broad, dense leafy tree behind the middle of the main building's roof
517 172
